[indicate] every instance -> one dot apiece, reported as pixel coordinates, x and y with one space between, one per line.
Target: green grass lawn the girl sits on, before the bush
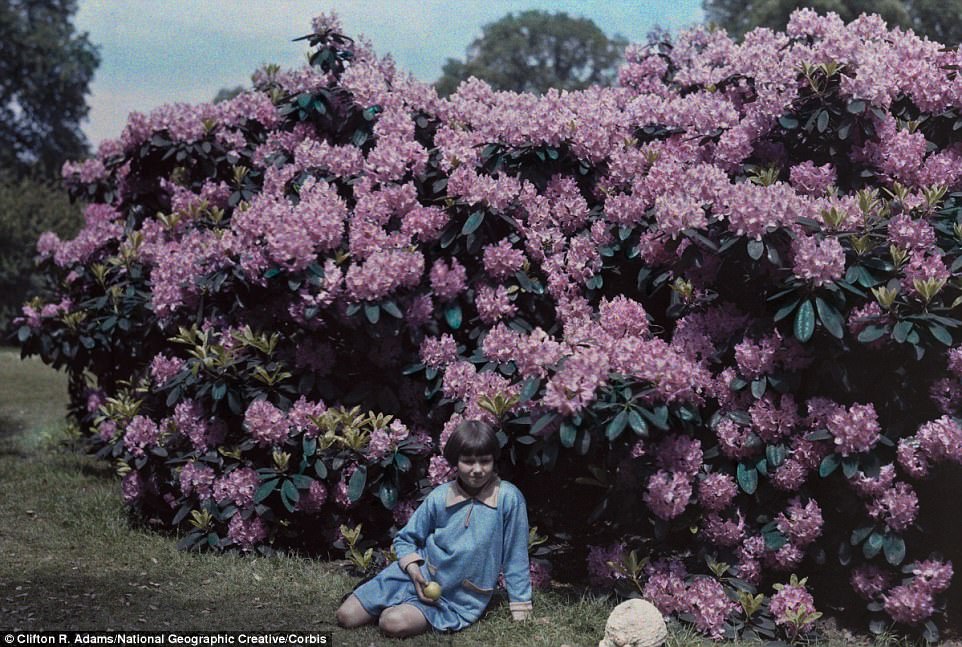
70 557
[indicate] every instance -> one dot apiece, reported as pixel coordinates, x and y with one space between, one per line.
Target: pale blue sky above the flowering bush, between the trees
165 51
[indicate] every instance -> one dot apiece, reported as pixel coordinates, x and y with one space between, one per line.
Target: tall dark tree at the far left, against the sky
45 74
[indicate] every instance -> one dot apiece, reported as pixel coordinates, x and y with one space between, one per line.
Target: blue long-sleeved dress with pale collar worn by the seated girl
462 543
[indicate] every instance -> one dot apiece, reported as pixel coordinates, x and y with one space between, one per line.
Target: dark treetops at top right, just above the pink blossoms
940 20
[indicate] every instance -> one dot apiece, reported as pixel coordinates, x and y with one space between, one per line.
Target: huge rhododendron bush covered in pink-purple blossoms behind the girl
711 311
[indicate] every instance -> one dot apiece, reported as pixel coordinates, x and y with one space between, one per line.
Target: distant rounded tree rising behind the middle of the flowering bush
534 51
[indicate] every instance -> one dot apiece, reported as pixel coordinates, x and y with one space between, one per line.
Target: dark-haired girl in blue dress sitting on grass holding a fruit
461 536
